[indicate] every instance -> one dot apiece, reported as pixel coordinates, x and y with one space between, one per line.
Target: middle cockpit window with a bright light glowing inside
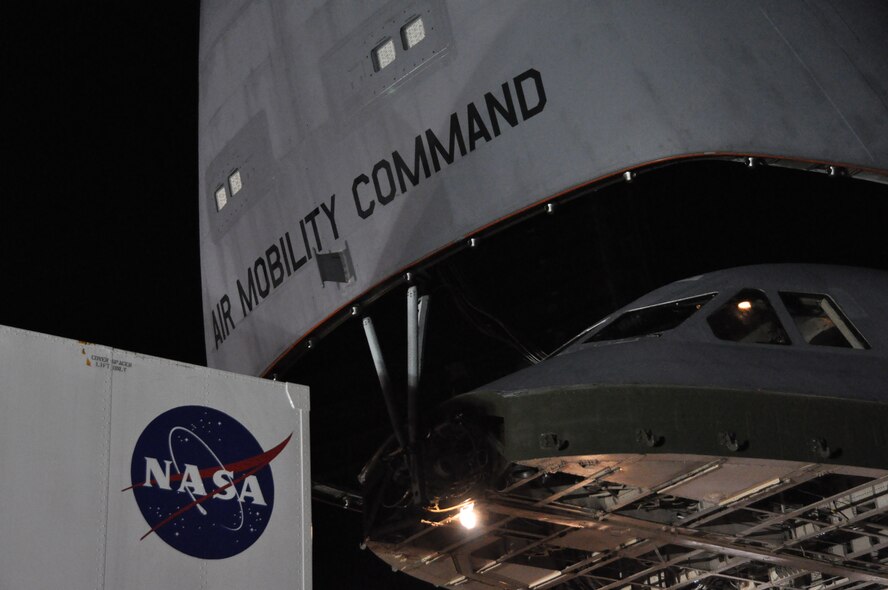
748 317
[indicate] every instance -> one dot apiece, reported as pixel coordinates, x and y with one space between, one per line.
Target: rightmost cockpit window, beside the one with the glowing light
821 322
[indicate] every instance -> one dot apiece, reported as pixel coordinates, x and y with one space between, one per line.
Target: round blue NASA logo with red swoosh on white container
202 482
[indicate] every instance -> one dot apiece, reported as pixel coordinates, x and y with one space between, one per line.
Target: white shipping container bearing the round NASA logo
127 471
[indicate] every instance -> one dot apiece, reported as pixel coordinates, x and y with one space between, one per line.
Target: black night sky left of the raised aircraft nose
99 223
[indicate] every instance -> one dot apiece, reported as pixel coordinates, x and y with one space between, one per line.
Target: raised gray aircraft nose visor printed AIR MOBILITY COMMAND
337 175
